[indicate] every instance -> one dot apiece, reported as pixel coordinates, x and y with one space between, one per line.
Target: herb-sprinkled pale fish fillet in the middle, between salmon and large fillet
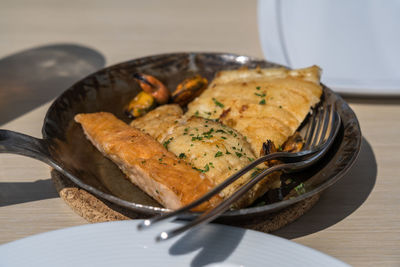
211 147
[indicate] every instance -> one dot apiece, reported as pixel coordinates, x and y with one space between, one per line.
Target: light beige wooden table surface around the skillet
357 220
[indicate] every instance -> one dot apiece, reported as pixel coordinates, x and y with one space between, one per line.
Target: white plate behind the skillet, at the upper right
355 42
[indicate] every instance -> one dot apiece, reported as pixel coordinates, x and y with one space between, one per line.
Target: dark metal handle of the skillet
22 144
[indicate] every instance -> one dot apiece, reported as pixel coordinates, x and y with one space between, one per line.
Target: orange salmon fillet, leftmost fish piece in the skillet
159 173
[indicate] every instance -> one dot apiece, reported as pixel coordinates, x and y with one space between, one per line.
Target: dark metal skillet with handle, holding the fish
65 148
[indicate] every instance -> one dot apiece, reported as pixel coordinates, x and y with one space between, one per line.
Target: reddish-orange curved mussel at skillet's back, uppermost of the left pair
153 86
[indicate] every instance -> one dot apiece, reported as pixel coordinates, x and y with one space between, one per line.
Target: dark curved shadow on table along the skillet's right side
339 201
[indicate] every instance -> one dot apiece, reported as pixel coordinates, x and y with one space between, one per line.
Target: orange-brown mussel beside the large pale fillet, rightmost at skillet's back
189 89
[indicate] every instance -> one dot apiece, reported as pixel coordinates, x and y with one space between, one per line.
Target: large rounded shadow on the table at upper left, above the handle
32 77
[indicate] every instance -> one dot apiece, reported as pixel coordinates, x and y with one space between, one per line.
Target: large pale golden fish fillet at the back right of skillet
261 104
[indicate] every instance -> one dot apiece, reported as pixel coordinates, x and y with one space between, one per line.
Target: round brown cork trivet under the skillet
96 210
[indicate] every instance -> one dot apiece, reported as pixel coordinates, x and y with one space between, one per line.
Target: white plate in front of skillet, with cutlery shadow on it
120 244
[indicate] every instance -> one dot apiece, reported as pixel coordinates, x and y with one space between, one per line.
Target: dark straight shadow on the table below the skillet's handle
21 192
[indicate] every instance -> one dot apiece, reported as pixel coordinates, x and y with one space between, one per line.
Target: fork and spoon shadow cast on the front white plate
212 244
